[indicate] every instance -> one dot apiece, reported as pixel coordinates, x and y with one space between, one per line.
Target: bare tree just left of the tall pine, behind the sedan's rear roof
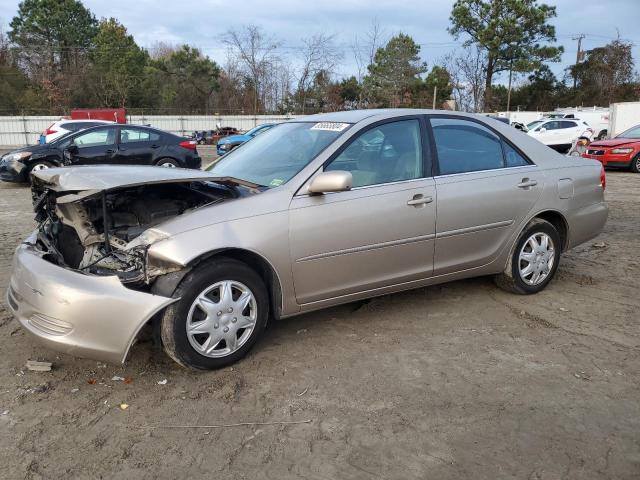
467 72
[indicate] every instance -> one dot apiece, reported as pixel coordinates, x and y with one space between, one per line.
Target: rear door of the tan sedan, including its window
485 188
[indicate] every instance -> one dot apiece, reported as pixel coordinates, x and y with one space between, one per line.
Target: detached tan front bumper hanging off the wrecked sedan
83 315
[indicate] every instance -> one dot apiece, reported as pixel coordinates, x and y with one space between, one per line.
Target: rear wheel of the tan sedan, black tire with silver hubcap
546 264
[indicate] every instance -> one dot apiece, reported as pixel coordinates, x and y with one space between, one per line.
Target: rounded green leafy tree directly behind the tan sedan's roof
395 69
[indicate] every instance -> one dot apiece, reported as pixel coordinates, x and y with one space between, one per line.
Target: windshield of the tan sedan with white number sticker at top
273 158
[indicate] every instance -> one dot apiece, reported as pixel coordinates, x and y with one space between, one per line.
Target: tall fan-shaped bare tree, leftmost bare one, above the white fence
256 53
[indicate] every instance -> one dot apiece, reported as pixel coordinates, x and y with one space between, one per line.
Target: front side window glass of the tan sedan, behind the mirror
390 152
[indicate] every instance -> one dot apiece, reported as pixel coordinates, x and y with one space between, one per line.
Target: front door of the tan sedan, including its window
381 232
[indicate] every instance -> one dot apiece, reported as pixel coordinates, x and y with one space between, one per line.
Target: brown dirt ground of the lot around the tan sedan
448 382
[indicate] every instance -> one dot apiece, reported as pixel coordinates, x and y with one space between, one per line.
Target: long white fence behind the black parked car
18 131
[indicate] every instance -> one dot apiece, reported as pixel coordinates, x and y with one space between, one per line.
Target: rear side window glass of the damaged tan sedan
464 146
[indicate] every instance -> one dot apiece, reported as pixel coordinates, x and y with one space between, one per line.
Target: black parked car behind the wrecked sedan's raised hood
109 144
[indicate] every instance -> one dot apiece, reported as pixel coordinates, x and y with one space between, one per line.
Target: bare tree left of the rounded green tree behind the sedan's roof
319 54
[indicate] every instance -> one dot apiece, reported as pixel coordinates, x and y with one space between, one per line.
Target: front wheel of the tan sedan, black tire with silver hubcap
217 324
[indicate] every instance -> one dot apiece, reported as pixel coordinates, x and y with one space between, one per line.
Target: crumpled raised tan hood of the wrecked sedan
107 177
